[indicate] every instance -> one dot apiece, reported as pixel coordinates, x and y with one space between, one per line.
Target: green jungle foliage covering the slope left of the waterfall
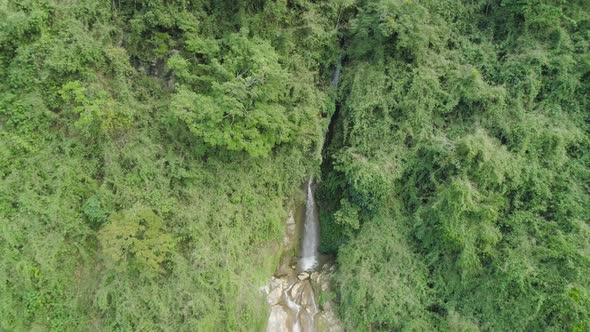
148 151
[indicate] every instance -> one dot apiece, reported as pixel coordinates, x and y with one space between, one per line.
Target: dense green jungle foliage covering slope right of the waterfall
456 191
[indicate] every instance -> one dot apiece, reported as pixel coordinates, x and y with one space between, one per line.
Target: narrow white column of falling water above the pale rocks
311 233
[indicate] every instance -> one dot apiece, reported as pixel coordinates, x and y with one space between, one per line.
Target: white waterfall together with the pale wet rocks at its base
290 292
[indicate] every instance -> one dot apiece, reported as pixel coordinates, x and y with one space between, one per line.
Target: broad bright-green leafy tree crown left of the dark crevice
242 110
